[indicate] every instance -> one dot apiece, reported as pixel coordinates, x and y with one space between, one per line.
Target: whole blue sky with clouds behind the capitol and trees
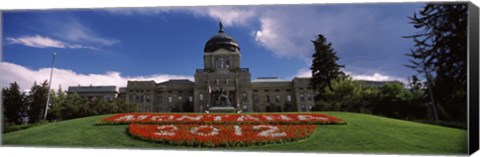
110 46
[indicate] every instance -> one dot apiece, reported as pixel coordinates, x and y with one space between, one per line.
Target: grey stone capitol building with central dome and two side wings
221 73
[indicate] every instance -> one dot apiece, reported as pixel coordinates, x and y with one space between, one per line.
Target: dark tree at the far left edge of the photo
13 103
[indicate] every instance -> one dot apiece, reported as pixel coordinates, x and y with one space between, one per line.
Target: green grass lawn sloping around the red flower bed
363 133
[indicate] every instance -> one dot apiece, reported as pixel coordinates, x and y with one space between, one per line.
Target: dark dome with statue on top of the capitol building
221 40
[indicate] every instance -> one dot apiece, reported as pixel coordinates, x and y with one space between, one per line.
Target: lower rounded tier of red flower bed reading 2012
220 135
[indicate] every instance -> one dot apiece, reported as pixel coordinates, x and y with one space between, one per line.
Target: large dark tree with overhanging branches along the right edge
441 49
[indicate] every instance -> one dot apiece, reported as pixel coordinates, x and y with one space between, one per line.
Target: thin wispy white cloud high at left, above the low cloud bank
43 42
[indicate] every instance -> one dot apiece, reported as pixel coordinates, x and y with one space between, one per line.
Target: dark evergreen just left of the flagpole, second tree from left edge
37 100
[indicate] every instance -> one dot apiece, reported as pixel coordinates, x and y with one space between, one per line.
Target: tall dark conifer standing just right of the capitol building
324 67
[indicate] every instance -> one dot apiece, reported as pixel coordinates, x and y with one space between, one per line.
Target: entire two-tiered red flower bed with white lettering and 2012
214 130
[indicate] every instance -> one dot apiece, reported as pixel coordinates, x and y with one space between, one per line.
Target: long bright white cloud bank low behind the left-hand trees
25 77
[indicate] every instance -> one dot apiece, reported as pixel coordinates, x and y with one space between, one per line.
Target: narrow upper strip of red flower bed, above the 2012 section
146 118
